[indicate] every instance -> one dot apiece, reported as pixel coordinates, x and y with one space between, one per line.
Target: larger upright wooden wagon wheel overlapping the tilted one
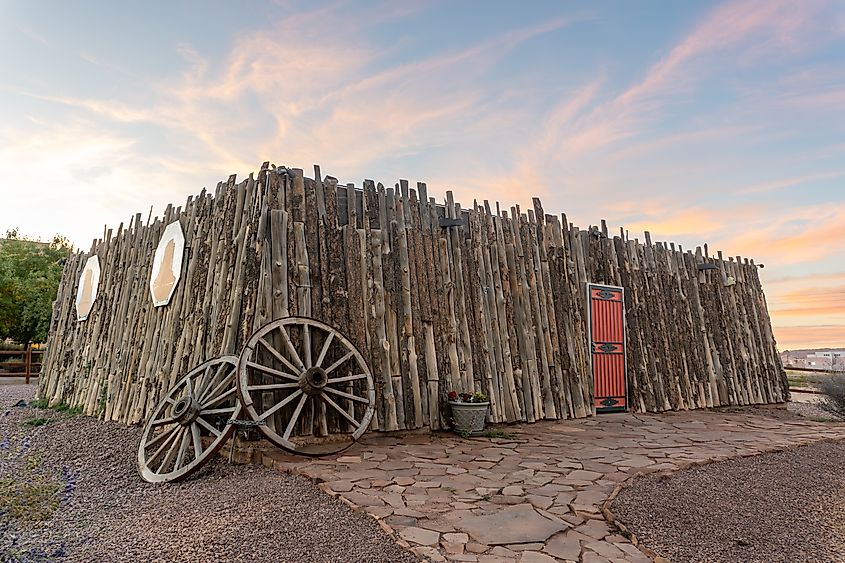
306 385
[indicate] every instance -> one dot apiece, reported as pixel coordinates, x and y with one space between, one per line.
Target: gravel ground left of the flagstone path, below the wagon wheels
106 513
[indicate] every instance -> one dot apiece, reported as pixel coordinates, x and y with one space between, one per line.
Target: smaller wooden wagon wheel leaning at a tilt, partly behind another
191 423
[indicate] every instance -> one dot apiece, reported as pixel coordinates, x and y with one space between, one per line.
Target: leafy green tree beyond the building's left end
30 272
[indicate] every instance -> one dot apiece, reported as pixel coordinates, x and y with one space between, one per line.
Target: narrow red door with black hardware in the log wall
607 347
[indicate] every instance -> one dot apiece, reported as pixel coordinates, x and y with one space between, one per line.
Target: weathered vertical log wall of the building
437 297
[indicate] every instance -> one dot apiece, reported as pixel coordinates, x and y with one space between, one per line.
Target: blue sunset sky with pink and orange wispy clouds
717 122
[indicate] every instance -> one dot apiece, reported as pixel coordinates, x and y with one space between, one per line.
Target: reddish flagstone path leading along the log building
536 496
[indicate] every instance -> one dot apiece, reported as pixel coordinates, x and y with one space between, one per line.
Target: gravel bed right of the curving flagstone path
787 506
